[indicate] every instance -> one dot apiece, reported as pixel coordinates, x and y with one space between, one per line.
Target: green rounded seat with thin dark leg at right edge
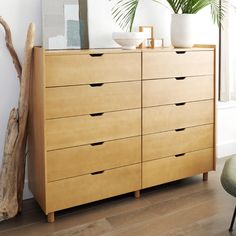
228 181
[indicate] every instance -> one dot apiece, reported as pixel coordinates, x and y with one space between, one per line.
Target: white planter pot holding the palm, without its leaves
183 30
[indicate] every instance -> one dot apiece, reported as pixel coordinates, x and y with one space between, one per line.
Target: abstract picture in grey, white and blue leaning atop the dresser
65 24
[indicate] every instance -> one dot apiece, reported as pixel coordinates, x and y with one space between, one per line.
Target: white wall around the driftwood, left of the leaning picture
18 14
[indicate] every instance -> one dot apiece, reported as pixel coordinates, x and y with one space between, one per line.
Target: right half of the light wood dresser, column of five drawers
178 107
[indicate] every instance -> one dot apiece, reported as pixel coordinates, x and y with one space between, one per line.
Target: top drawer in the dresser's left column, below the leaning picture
95 68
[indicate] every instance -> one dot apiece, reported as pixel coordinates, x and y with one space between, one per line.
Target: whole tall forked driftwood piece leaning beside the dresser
13 166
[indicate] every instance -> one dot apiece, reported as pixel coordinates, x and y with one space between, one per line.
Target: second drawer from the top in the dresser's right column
174 90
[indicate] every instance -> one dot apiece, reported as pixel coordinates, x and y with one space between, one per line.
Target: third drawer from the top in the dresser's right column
171 117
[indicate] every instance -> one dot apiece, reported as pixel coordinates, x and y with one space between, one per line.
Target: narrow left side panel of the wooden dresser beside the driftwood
36 162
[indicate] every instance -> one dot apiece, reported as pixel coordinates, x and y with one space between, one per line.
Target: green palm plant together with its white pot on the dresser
183 17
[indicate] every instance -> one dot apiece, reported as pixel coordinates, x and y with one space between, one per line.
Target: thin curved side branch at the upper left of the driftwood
10 47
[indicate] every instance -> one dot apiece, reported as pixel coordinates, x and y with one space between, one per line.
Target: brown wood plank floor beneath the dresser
187 207
